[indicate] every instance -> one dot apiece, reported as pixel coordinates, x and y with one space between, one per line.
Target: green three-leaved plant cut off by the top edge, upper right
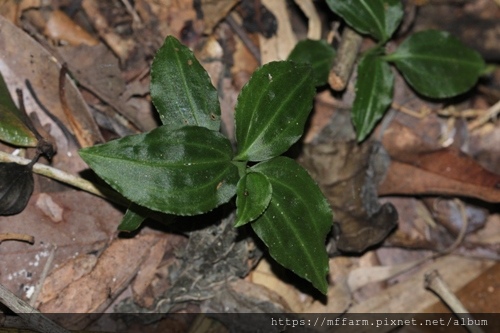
434 63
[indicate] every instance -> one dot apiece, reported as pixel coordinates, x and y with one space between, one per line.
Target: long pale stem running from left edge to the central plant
66 178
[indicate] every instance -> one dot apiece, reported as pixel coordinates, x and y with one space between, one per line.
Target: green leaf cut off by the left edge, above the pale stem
13 130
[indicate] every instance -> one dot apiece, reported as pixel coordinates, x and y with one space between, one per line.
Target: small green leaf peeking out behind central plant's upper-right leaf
319 54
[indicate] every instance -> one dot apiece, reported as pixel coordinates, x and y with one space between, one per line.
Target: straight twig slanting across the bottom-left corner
35 319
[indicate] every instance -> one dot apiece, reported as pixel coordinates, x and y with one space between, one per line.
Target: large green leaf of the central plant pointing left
187 171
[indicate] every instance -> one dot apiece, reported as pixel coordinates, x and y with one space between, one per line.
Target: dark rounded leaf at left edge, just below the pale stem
16 186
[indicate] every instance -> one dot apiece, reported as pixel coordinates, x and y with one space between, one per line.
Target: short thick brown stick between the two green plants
344 61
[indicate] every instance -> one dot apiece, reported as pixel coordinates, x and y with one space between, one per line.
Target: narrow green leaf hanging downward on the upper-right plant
374 87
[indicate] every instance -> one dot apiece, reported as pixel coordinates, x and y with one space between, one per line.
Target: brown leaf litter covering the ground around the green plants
427 158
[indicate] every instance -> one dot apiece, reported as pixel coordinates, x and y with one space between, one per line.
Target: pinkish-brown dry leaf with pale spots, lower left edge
87 224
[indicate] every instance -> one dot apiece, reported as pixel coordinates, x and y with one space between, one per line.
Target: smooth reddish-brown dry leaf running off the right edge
418 169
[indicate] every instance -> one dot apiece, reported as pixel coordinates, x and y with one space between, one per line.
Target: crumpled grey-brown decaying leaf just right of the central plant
348 175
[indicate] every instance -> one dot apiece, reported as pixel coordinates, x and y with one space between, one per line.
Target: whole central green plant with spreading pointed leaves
187 167
